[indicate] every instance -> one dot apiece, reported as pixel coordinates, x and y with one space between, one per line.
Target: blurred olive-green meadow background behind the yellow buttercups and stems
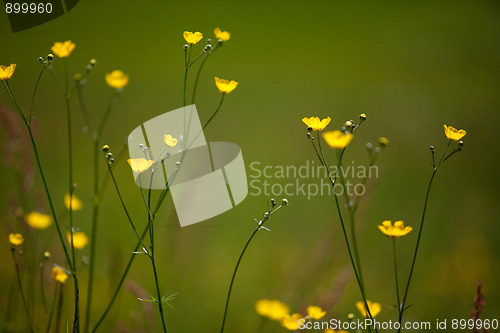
411 66
